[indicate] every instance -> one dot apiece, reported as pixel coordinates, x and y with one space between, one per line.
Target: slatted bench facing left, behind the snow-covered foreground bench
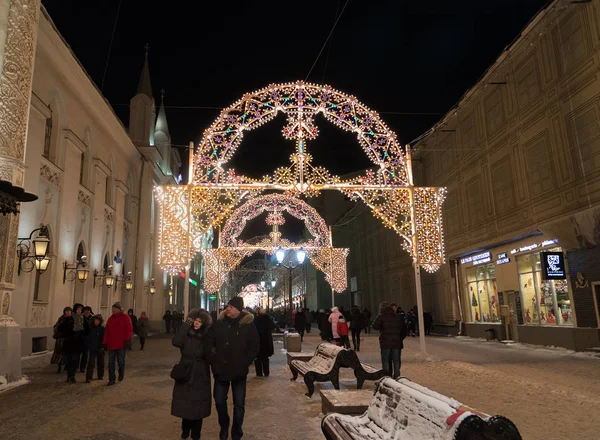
324 366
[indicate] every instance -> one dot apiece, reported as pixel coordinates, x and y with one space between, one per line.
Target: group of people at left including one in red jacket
82 341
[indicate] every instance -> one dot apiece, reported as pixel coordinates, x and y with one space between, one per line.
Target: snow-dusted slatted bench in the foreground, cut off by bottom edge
403 410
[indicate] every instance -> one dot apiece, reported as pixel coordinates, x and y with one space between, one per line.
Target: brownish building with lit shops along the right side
520 157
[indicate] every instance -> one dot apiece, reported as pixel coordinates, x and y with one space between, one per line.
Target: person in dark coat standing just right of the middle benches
392 332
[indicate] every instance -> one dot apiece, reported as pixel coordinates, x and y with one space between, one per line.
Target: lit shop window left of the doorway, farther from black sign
483 295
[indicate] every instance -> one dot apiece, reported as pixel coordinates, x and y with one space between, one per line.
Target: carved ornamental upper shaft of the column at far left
16 76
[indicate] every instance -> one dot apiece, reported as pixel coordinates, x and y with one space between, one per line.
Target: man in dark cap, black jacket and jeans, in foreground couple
234 344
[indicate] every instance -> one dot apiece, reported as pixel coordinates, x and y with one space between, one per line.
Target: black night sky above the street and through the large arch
394 56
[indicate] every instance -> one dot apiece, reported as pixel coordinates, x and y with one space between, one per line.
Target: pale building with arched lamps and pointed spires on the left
95 181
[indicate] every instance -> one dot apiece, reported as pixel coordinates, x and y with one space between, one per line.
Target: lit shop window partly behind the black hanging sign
545 302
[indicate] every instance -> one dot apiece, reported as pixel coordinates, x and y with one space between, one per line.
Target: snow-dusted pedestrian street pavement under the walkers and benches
514 381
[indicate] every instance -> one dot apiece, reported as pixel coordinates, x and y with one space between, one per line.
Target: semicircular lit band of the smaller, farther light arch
275 203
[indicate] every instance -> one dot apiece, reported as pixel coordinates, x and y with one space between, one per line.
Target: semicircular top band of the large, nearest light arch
301 102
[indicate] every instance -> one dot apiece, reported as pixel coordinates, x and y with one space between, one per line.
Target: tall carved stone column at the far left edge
18 30
